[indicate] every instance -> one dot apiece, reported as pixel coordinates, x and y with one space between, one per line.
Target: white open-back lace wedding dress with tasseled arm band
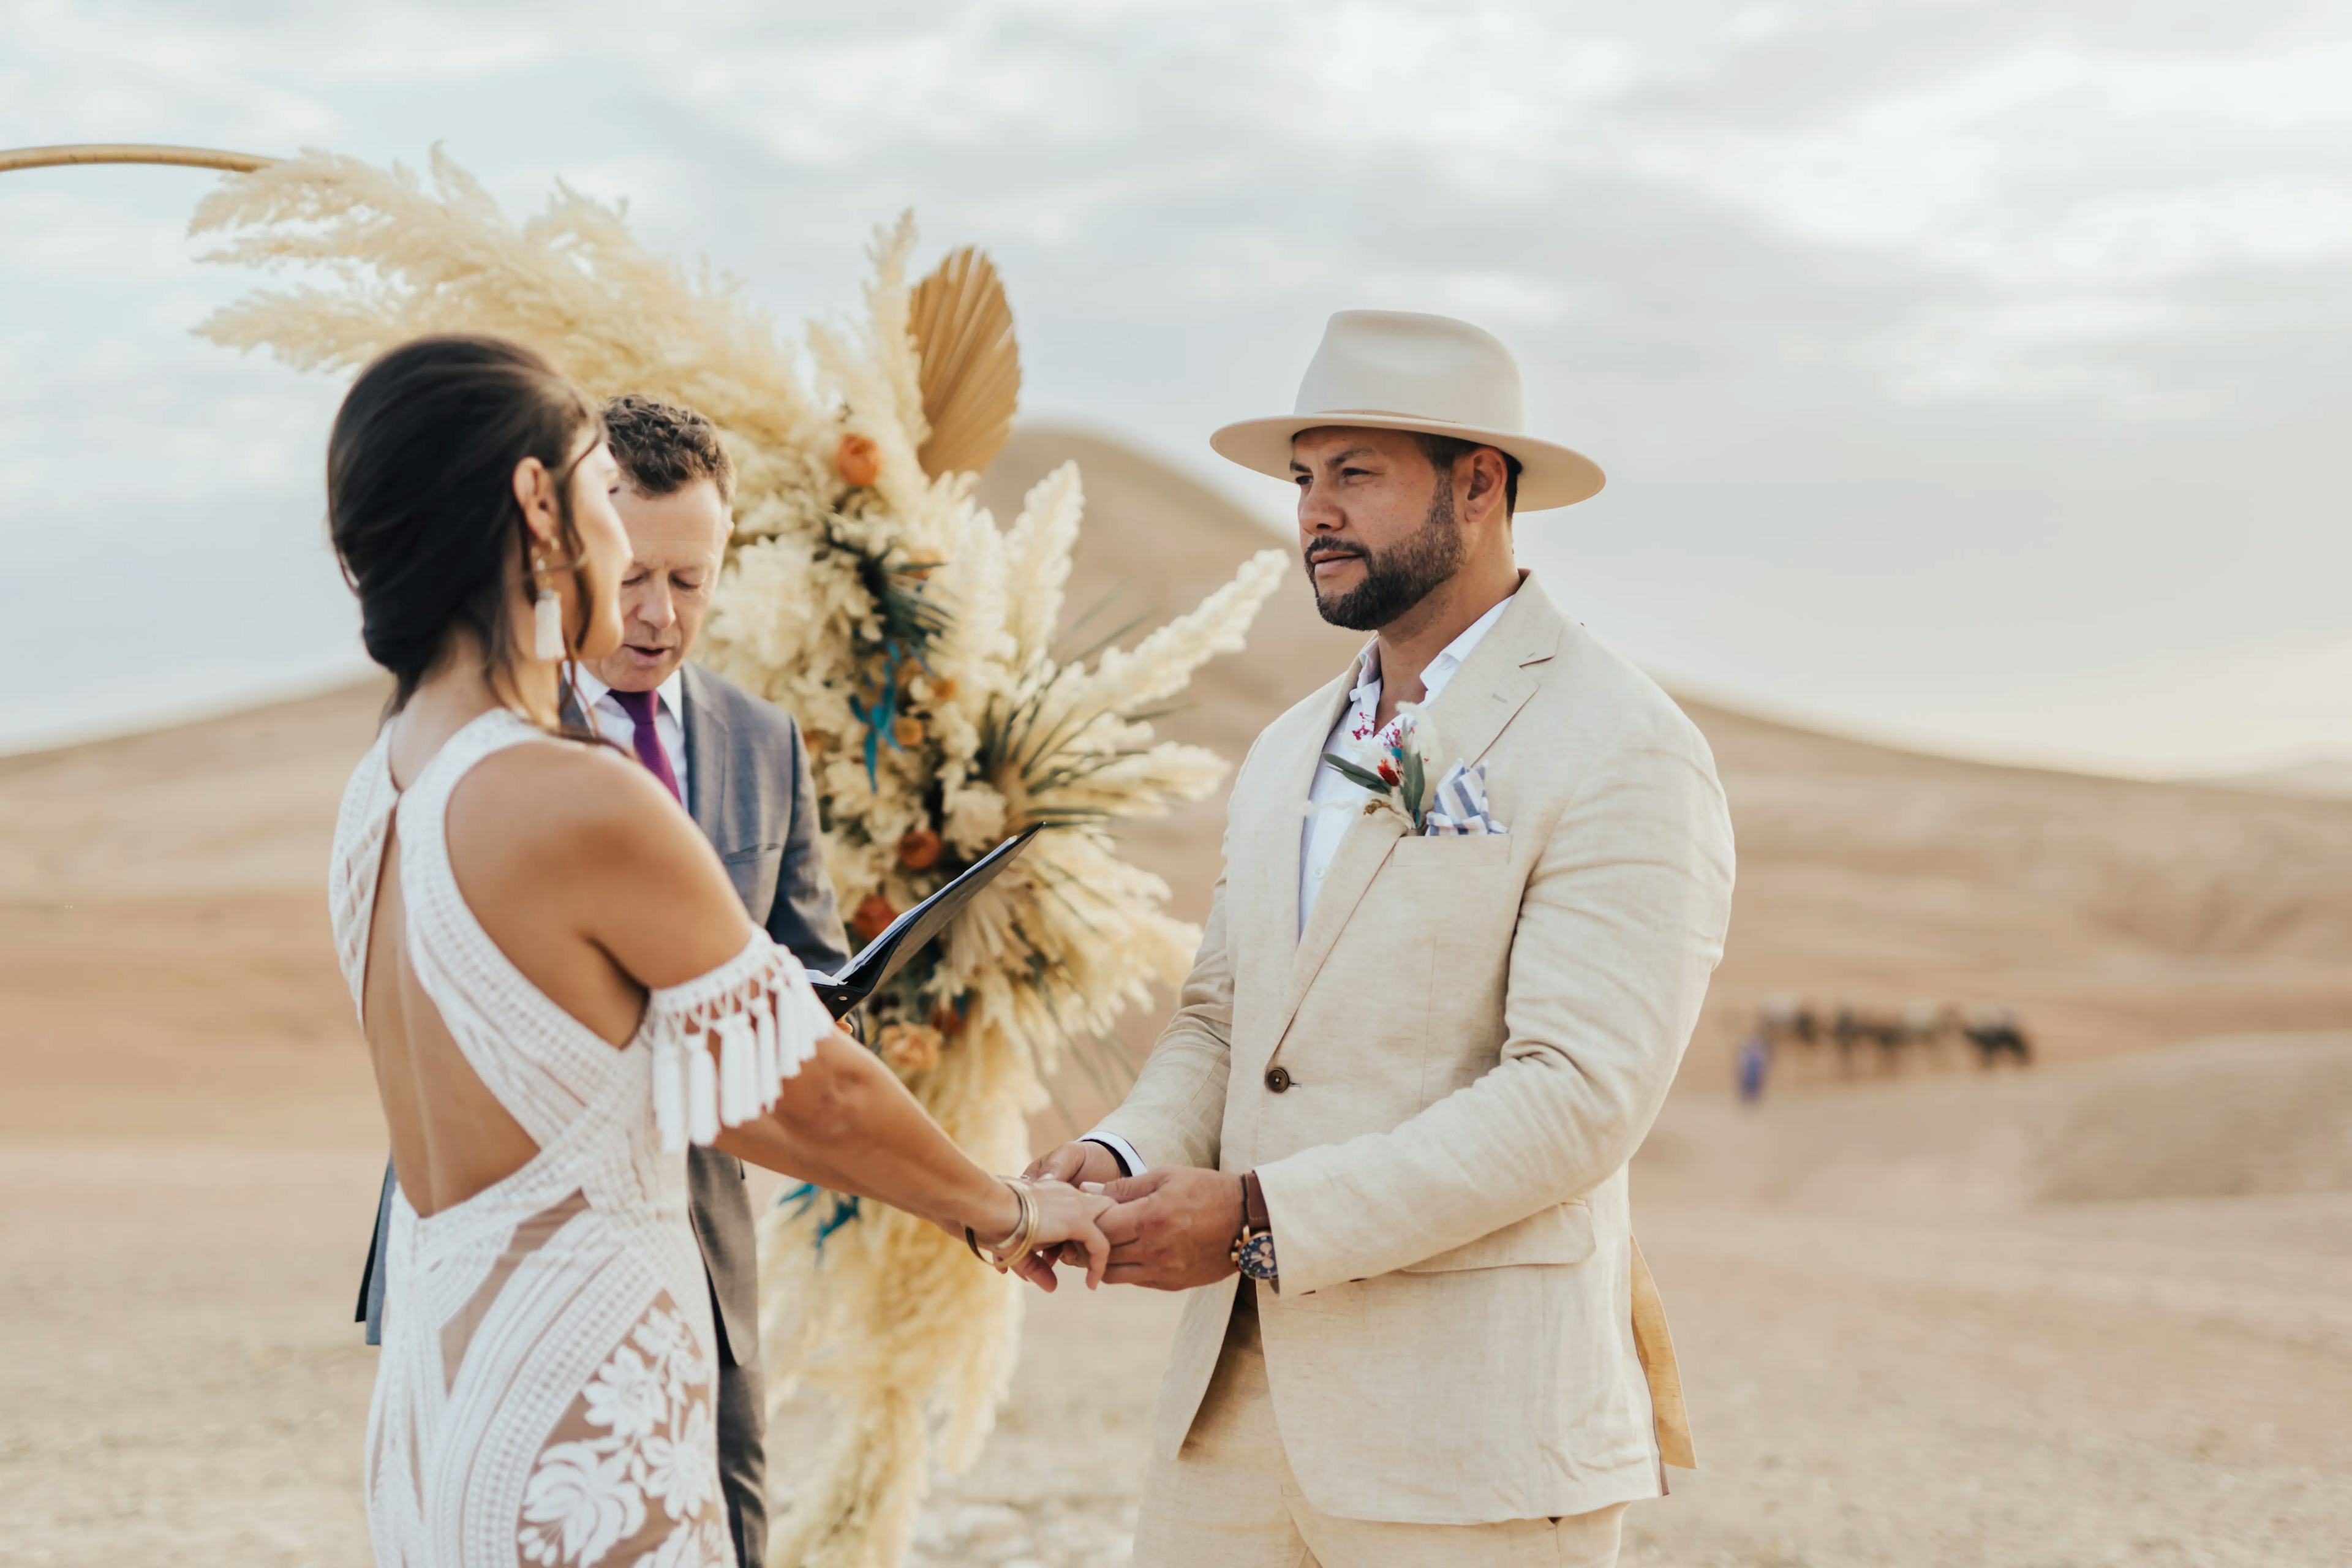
549 1381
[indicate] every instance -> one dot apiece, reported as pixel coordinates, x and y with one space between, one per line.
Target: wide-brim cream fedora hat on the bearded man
1398 370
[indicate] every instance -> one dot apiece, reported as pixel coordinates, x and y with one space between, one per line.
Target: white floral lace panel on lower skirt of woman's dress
650 1463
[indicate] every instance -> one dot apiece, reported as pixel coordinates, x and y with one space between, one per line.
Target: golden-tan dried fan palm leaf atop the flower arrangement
970 363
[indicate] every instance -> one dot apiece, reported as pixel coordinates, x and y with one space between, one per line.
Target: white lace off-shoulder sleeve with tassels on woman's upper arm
726 1043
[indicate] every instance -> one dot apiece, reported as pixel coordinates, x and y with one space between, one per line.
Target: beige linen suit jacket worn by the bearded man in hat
1474 1036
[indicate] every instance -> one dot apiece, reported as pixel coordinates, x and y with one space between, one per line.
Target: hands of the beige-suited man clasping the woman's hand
1170 1228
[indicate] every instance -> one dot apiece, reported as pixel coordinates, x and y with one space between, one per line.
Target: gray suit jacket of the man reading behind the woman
751 796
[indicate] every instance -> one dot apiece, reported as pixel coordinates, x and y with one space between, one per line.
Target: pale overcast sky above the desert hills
1972 375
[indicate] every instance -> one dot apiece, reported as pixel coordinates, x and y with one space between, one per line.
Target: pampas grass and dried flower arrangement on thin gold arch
911 636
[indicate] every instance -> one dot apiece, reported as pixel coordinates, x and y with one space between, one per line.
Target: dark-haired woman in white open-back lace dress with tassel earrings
561 991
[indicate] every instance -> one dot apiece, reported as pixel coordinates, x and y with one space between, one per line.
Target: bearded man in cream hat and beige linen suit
1384 1137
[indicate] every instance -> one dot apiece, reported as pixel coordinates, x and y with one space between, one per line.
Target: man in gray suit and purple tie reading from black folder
744 777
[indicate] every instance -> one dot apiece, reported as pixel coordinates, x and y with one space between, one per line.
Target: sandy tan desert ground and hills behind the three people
2094 1313
